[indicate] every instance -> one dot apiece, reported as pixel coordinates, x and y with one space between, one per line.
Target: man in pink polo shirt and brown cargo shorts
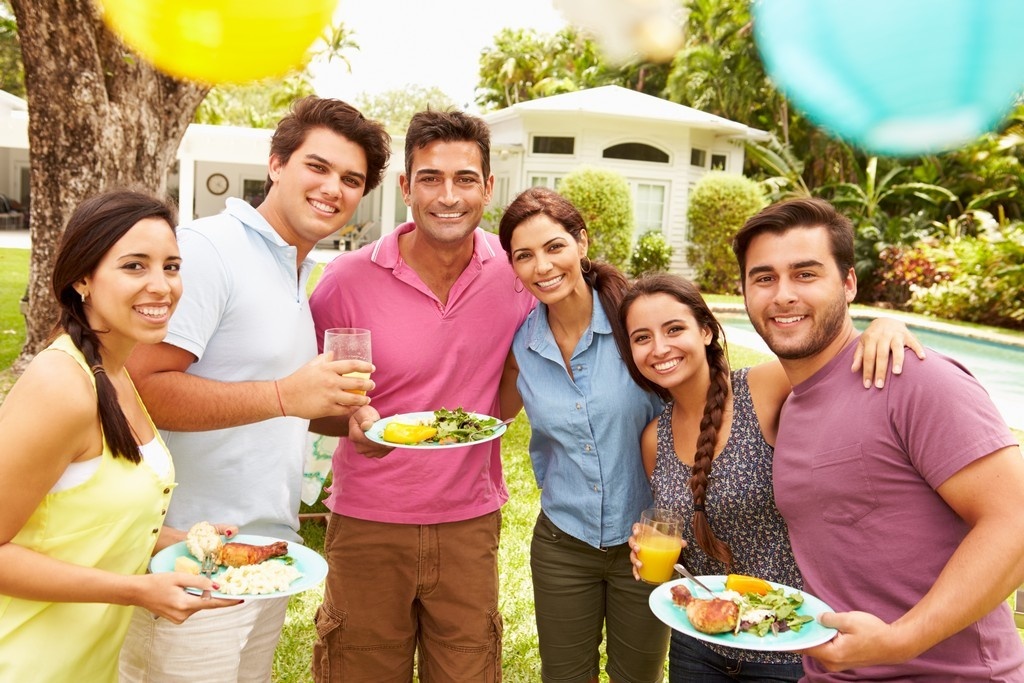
413 540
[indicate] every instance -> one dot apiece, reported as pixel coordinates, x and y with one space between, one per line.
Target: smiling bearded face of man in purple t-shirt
796 296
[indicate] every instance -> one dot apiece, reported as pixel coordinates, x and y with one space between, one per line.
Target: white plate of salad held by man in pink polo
437 430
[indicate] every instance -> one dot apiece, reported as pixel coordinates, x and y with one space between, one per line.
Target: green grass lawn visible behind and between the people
521 661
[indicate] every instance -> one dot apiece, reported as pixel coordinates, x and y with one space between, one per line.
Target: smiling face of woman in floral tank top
668 345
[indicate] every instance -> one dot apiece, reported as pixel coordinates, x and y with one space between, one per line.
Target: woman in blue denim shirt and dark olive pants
587 416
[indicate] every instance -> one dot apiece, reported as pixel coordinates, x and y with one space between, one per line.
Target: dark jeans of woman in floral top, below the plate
693 662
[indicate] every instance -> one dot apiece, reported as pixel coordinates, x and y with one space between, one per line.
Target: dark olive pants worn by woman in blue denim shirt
580 592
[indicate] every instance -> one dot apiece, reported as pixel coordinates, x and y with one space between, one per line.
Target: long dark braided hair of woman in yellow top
95 227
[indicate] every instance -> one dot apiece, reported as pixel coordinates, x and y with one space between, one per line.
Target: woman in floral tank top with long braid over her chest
675 348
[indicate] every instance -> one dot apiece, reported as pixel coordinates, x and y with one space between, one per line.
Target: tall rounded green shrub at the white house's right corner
719 206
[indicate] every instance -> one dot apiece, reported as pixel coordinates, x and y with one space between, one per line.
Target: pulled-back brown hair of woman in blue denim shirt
604 278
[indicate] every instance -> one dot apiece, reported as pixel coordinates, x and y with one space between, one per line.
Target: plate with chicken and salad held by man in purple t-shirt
764 617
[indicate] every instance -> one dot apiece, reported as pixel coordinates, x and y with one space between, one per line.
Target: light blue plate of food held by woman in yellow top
248 567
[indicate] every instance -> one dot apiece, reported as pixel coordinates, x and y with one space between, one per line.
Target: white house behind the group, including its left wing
662 149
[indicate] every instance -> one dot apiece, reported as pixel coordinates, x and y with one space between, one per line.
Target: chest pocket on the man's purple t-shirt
842 487
